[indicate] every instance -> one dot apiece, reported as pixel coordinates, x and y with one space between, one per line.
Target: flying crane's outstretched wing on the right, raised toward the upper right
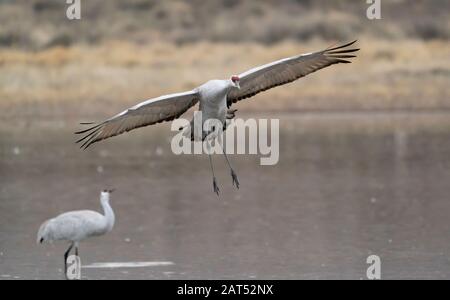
287 70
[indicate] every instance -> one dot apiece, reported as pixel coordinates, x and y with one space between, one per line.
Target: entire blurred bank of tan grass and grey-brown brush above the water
122 52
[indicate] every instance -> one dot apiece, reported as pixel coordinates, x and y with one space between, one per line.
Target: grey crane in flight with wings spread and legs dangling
215 97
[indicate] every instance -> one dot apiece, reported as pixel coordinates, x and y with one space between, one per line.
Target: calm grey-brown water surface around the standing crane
346 186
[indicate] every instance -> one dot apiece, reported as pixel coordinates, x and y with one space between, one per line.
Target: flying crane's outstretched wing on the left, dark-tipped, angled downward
156 110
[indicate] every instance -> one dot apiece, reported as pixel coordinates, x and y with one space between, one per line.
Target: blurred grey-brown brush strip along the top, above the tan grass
38 24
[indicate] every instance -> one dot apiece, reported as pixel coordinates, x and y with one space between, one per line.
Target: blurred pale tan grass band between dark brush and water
100 80
